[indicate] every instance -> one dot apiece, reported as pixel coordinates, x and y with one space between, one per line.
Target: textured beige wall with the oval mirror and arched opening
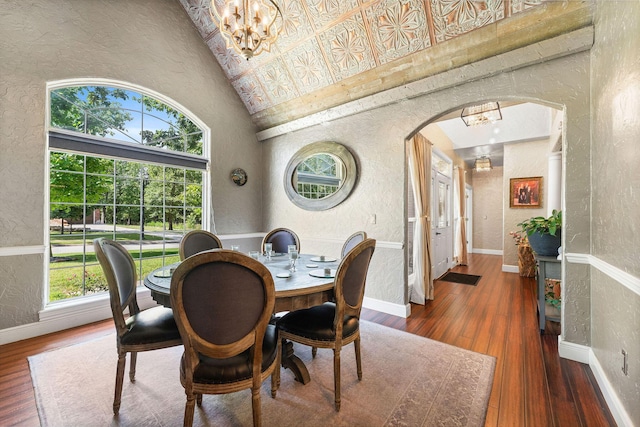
377 139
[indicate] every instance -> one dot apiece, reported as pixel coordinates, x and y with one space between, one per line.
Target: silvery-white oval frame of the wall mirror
328 147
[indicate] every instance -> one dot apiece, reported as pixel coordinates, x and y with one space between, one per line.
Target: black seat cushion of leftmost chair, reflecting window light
149 326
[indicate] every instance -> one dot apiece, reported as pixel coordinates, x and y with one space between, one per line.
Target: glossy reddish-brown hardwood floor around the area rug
532 386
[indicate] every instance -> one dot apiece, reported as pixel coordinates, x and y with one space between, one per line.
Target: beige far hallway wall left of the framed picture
488 209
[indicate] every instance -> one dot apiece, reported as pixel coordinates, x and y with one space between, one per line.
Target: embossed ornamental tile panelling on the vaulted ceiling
324 42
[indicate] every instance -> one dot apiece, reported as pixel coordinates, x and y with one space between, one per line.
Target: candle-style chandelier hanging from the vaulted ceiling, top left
249 27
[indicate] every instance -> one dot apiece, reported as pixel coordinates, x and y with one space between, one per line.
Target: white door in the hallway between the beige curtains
441 230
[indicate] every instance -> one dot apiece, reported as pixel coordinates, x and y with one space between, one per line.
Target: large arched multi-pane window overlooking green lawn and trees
126 165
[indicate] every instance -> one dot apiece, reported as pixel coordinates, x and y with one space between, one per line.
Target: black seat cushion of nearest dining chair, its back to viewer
220 371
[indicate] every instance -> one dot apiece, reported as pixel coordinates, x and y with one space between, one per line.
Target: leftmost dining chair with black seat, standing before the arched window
150 329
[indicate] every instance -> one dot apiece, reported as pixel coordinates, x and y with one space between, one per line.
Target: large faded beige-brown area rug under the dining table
407 380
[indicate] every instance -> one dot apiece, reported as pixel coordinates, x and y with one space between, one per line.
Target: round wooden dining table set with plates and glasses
310 284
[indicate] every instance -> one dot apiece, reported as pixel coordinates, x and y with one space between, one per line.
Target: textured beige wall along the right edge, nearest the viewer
616 195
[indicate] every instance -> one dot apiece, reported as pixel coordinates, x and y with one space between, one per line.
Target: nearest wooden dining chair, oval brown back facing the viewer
223 301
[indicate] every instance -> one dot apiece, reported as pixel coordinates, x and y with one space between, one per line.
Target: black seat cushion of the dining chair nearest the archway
316 323
